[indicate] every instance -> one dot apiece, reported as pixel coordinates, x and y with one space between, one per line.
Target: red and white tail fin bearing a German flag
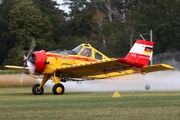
141 52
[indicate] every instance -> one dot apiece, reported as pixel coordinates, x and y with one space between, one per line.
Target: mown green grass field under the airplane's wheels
19 103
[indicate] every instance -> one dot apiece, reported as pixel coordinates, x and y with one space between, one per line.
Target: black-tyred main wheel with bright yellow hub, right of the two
58 89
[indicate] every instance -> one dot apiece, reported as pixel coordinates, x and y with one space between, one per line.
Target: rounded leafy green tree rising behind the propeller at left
26 23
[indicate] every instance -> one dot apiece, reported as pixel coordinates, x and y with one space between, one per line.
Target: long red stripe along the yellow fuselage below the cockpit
74 57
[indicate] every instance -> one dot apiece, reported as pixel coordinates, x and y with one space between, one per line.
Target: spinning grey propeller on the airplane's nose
28 61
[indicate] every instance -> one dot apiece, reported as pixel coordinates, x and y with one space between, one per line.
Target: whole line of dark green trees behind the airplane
108 25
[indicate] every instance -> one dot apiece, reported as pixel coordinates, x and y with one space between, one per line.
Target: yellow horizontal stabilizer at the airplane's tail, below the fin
157 67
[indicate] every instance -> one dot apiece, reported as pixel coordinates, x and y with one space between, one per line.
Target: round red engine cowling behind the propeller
40 58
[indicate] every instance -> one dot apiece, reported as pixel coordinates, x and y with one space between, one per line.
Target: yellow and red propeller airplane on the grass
85 62
